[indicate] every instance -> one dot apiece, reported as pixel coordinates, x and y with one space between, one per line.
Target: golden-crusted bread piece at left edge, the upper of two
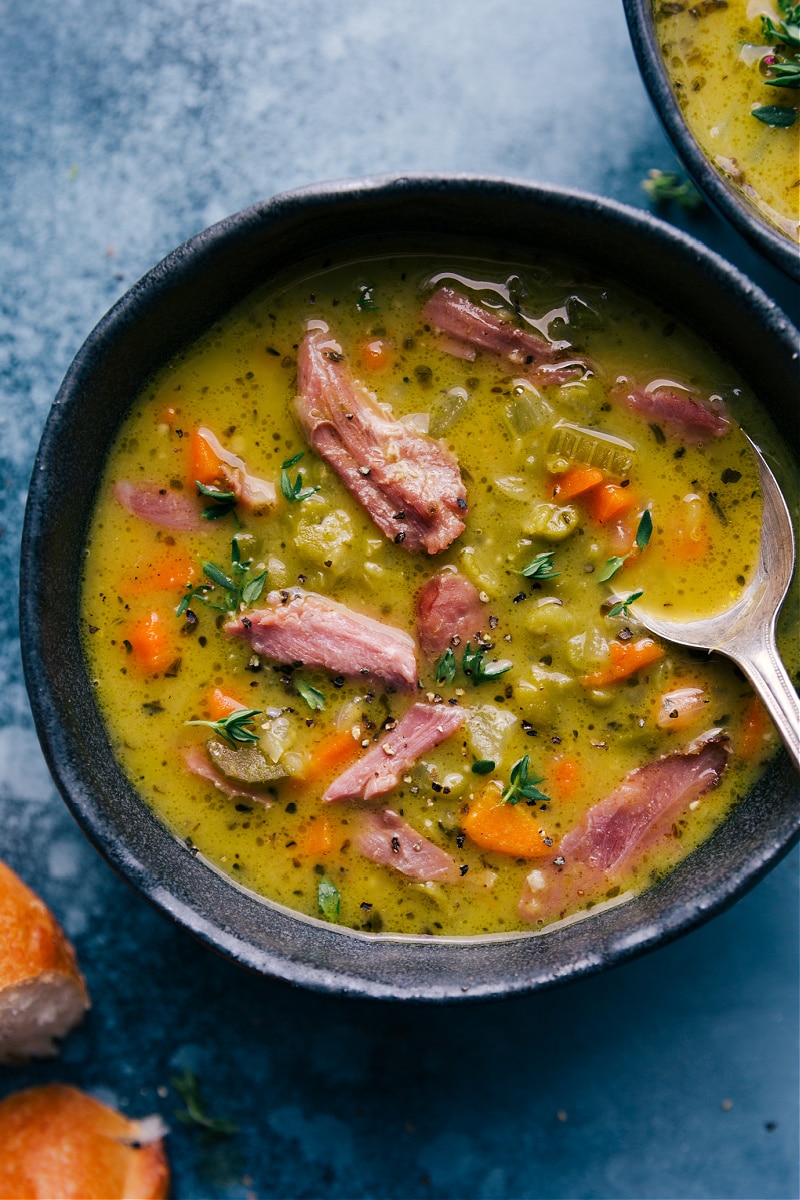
43 993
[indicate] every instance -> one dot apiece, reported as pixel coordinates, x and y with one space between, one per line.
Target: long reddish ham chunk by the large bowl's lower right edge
624 826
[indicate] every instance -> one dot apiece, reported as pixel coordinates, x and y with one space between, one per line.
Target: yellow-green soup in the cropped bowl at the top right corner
736 68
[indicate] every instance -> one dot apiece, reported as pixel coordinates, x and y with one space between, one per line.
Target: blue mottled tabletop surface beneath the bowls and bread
127 129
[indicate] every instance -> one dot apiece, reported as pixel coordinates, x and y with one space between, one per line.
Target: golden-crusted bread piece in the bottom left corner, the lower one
59 1144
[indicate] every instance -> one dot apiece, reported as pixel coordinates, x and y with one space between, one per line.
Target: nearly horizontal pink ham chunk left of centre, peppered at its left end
311 631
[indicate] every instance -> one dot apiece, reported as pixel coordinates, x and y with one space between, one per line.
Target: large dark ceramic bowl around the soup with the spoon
167 310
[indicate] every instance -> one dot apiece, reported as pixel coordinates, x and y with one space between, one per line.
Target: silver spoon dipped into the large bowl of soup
747 632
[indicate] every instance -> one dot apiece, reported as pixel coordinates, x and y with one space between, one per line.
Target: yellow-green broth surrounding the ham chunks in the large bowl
581 739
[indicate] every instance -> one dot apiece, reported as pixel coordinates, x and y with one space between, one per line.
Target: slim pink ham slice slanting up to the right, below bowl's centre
381 770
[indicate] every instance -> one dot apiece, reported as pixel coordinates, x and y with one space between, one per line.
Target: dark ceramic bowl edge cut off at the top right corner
730 202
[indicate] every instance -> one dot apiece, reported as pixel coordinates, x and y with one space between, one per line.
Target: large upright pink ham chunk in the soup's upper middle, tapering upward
410 484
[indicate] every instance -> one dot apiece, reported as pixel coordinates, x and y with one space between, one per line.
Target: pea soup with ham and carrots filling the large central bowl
360 595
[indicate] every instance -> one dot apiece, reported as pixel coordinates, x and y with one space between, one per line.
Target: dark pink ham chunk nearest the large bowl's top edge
468 327
